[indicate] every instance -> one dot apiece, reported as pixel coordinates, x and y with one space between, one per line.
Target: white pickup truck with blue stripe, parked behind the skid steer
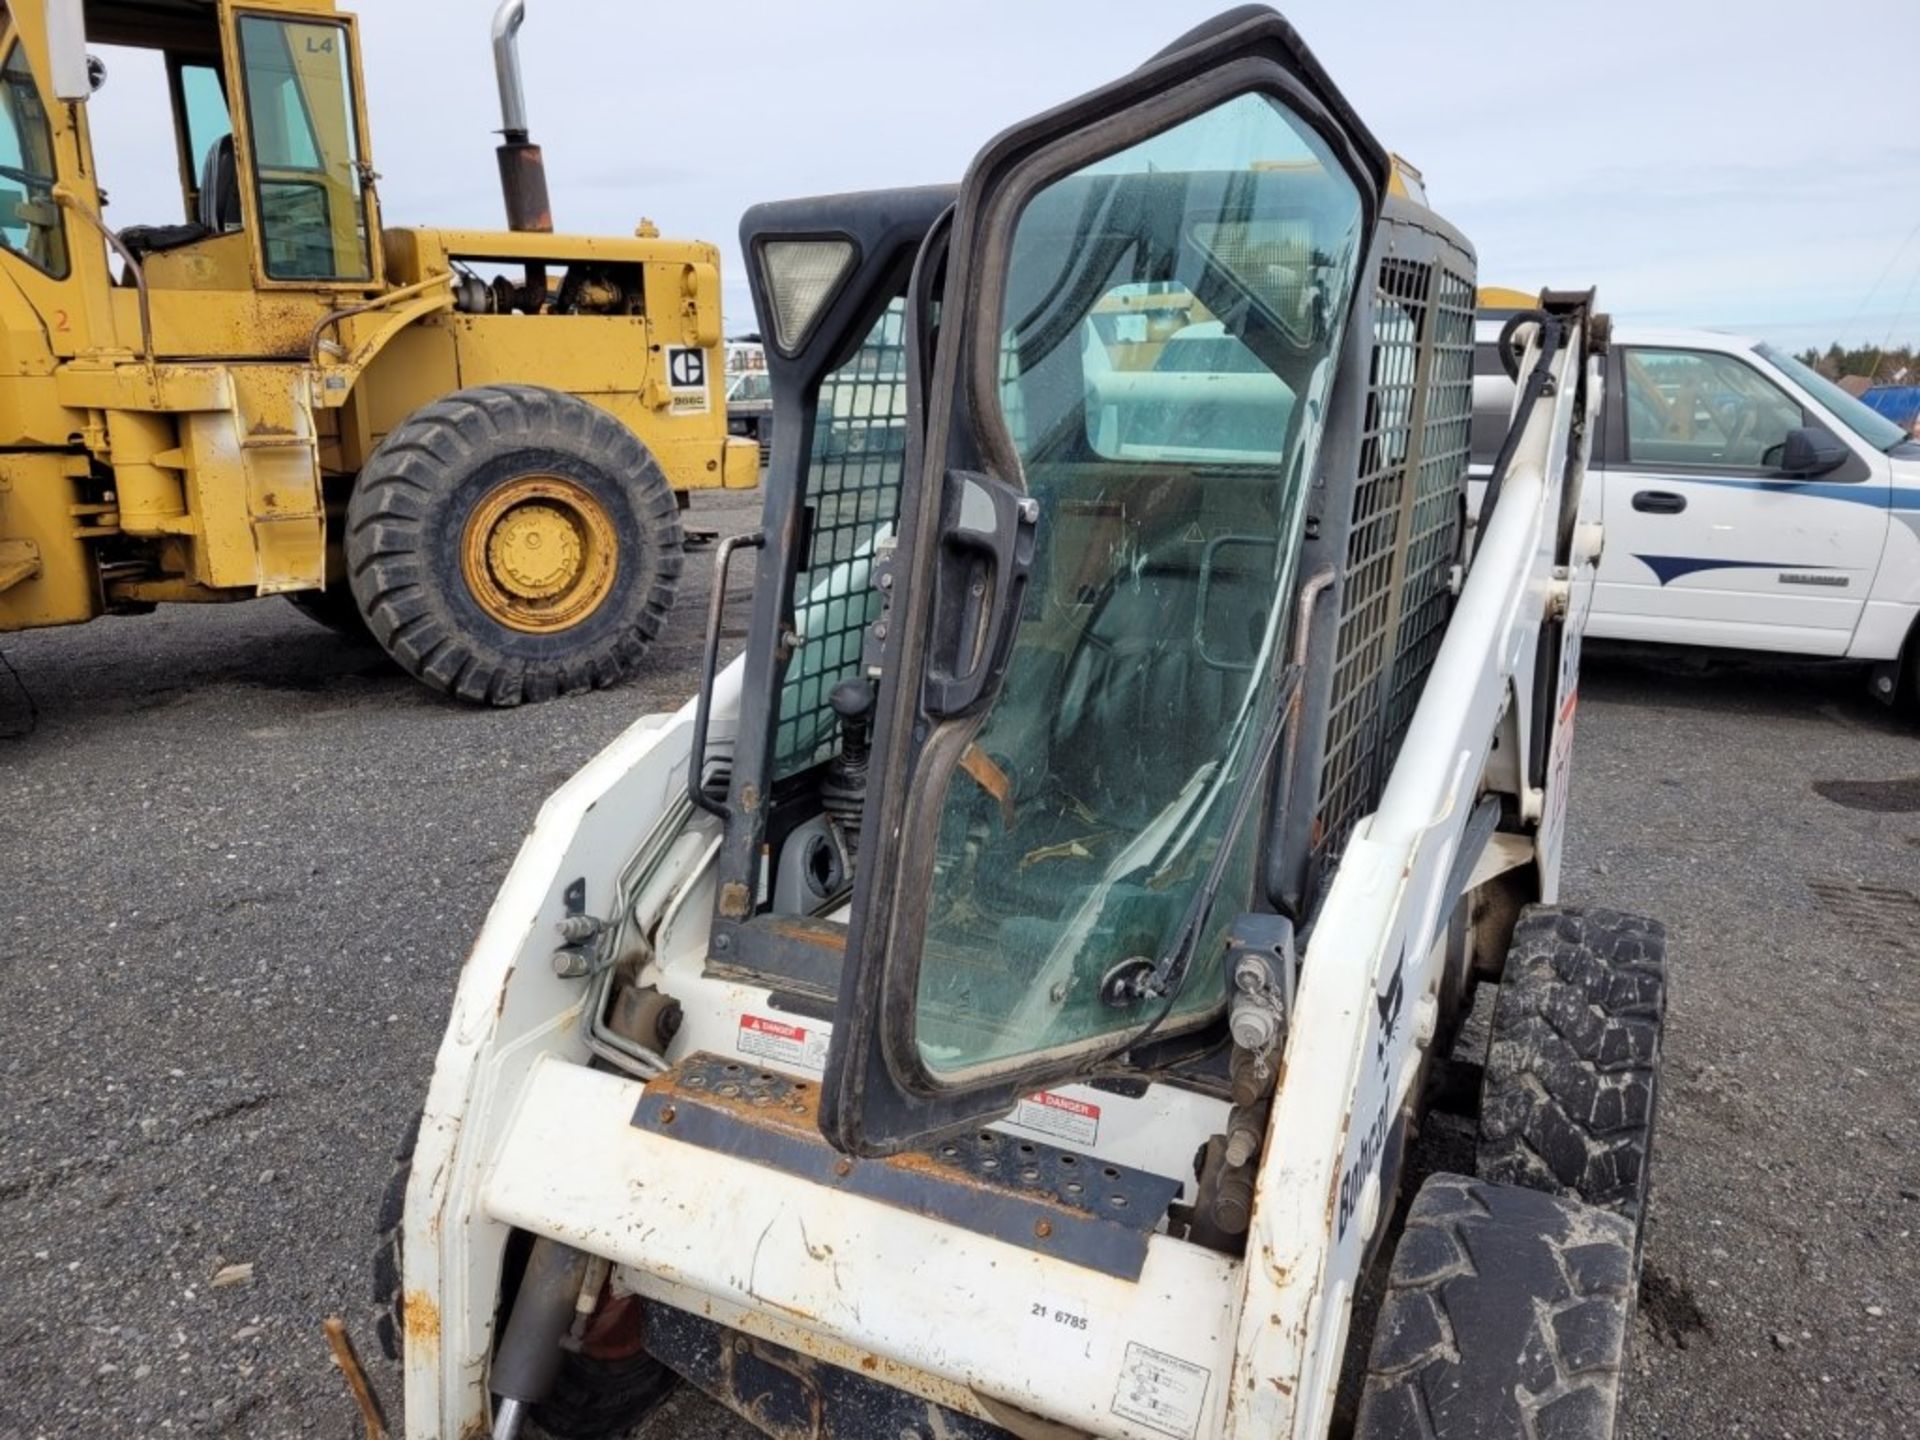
1748 502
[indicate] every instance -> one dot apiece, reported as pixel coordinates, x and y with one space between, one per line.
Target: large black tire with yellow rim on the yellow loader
512 544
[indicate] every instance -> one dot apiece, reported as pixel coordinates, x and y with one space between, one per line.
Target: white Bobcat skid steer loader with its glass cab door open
1003 1001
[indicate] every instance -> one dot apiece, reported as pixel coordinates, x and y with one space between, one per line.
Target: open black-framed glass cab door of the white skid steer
1084 640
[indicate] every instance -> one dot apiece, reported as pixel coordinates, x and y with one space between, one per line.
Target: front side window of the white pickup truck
1698 408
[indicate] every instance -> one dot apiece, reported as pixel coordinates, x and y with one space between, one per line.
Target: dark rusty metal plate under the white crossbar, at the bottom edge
796 1397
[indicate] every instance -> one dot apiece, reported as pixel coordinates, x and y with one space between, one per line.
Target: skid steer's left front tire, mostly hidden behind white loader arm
596 1395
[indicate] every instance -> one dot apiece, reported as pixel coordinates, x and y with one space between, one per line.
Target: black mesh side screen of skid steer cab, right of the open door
1404 539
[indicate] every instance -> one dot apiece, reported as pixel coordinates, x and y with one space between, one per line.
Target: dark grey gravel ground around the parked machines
245 861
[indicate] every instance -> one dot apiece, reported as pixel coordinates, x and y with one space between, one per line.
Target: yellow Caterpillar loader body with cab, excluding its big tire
183 433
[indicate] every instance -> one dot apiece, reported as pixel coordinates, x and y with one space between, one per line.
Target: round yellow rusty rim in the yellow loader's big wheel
540 554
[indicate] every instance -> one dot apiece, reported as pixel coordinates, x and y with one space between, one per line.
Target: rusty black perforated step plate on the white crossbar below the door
1040 1197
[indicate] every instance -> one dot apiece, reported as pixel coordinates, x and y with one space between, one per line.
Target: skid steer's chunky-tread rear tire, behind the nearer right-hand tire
1573 1068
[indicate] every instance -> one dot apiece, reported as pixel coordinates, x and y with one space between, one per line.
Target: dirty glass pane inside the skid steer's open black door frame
1166 339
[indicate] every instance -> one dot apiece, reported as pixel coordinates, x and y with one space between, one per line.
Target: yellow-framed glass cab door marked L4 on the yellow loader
306 151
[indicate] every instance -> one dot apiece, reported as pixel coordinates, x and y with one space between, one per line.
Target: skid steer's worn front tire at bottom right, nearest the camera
1506 1316
